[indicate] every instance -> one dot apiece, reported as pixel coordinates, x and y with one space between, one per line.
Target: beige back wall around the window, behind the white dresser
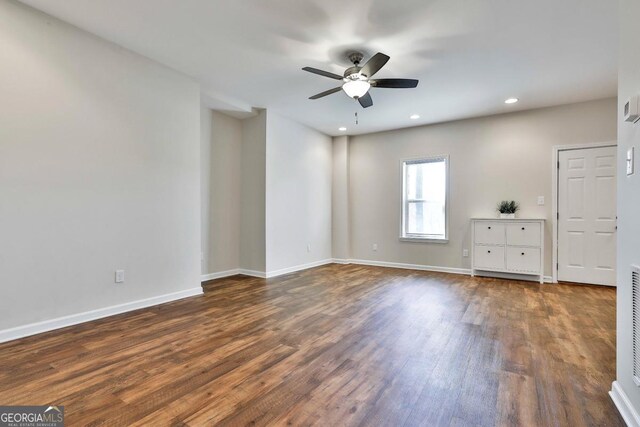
492 158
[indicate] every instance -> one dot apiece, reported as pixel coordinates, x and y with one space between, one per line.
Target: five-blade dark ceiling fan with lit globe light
357 80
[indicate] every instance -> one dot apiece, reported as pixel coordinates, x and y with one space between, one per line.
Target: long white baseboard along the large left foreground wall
74 319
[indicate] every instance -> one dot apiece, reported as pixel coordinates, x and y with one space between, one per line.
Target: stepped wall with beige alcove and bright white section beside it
266 191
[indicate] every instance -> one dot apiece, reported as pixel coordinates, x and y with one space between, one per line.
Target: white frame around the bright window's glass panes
403 210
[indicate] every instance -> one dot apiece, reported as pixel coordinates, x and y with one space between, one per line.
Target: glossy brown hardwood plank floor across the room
334 345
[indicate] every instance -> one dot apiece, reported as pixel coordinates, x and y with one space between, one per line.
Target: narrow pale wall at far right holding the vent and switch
628 197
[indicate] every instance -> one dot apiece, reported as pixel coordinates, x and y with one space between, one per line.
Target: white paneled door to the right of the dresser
587 216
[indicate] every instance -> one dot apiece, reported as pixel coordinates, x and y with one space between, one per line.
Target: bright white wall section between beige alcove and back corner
298 194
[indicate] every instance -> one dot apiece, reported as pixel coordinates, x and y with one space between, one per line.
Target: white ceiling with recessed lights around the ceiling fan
470 55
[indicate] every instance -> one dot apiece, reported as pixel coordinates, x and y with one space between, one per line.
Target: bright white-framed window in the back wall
424 198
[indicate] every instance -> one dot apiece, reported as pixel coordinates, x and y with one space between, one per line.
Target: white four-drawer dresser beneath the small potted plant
513 246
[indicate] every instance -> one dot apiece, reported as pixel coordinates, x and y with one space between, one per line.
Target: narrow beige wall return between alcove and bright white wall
252 193
